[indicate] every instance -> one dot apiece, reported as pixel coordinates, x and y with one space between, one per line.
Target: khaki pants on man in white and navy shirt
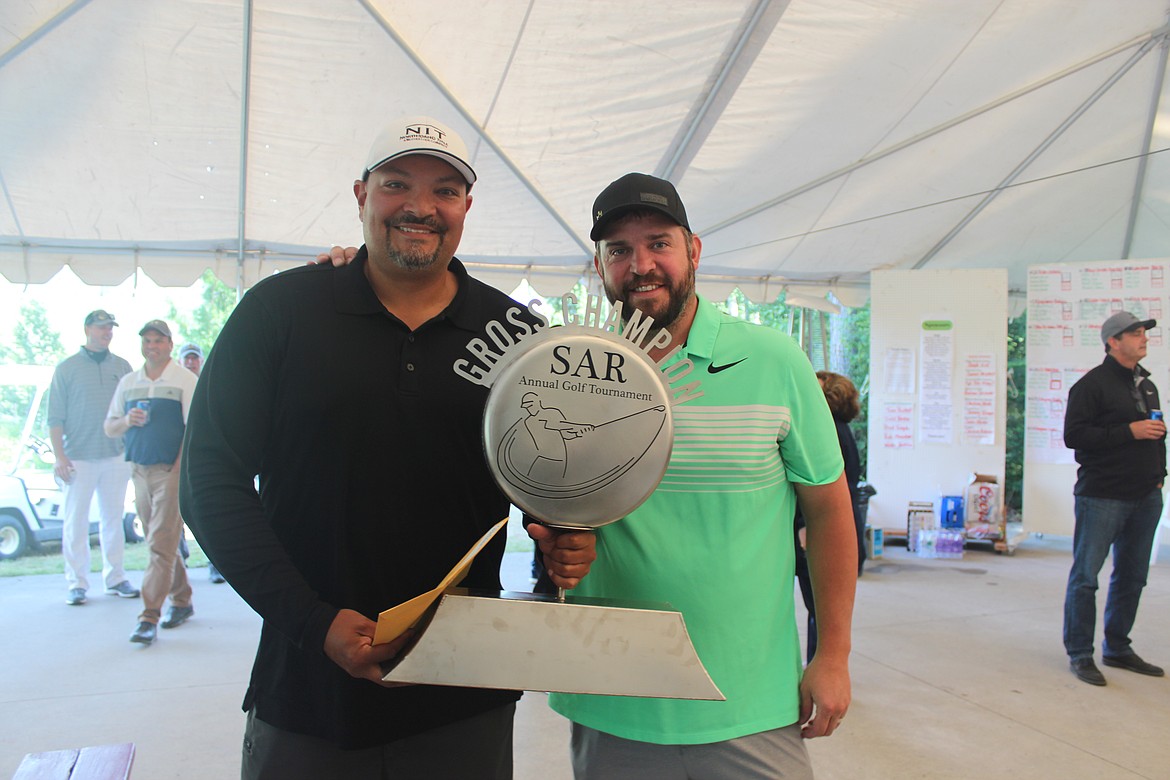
157 503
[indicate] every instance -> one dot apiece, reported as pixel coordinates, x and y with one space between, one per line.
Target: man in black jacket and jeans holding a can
1114 423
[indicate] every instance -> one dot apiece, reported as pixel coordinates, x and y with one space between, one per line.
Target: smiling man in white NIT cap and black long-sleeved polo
338 388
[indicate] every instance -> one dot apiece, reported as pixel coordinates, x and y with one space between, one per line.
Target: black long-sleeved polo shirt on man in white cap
373 485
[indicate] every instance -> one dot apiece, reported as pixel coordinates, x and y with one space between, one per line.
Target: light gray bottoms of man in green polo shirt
767 756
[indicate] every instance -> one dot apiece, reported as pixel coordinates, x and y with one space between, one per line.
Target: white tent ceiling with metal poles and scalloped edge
813 141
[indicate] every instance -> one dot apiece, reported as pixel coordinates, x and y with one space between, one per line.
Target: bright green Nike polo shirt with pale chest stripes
715 540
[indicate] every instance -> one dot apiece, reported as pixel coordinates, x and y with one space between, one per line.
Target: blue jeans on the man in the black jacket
1127 527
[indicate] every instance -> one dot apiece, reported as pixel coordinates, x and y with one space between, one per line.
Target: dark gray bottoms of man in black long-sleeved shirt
479 748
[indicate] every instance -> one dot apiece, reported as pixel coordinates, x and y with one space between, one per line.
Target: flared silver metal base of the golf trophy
525 641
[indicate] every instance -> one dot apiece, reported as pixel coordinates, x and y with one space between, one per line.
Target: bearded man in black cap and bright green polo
715 540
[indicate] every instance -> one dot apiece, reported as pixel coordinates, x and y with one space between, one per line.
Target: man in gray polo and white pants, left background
88 463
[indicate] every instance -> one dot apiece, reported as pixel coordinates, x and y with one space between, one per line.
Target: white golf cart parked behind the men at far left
32 503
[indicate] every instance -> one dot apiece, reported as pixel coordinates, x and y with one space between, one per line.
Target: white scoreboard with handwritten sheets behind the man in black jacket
1066 306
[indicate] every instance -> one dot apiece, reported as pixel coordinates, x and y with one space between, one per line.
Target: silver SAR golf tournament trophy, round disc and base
577 432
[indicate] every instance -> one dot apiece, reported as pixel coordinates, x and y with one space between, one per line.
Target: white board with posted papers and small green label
938 410
